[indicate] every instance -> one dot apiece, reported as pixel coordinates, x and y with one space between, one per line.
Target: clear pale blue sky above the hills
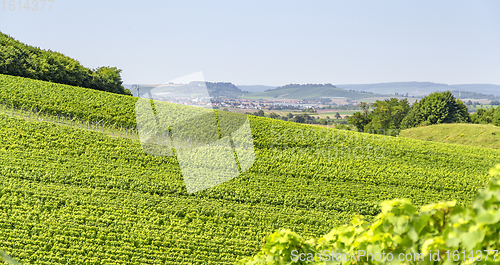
272 42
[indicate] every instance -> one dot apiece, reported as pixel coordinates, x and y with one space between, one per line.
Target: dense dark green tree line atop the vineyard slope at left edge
19 59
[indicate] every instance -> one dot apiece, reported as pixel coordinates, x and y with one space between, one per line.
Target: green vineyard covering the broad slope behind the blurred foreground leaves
75 196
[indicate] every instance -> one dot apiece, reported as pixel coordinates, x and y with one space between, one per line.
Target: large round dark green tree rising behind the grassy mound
436 108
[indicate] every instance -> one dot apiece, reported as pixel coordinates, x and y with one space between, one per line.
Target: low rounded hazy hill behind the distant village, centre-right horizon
310 91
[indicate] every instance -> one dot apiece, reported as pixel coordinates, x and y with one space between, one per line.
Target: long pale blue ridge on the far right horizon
422 88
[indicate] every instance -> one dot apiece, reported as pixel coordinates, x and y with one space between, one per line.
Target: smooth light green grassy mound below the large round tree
482 135
